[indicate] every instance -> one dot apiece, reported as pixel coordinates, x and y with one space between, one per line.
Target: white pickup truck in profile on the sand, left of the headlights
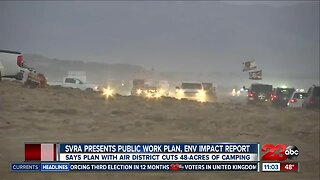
75 82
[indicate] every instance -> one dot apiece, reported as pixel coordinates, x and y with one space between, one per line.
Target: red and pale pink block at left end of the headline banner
40 152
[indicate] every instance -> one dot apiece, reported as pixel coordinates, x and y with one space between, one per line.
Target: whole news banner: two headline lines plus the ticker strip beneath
139 157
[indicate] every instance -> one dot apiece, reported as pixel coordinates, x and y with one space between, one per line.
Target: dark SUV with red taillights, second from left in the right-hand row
281 96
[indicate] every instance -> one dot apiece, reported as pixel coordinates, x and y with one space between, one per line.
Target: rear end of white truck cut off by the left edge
10 63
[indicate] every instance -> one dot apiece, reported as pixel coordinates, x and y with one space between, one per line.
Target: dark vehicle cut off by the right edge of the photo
312 98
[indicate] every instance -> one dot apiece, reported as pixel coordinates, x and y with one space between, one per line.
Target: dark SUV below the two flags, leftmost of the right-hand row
259 93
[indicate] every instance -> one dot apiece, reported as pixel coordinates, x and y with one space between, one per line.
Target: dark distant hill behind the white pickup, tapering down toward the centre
56 69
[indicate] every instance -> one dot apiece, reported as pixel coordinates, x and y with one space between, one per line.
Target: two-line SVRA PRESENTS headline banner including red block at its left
166 152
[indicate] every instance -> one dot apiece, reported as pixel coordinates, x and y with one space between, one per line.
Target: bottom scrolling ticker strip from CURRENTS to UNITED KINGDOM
134 167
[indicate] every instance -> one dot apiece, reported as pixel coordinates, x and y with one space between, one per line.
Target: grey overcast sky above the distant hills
169 36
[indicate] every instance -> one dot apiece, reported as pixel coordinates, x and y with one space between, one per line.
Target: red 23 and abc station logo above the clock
280 152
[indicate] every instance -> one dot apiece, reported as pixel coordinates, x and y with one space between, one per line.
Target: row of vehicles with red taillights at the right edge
286 97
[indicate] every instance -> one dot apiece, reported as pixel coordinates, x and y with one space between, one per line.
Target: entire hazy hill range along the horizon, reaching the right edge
100 73
